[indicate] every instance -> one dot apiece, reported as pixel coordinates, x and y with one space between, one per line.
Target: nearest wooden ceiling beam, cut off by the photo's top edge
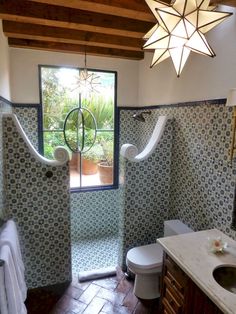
133 9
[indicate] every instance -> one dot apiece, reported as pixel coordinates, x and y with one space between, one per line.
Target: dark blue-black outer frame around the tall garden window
115 184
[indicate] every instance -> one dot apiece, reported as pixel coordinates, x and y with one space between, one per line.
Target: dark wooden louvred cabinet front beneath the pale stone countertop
180 295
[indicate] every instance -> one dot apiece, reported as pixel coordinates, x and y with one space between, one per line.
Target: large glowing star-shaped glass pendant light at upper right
180 30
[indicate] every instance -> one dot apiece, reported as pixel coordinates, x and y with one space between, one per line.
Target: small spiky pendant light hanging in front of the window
87 82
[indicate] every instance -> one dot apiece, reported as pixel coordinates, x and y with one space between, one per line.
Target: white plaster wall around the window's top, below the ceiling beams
24 73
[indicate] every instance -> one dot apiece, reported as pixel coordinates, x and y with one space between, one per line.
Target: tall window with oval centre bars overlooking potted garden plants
82 121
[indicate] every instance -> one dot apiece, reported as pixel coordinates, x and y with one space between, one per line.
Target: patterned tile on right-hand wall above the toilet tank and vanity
202 177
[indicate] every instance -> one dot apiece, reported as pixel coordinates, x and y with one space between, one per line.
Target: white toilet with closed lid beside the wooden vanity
146 262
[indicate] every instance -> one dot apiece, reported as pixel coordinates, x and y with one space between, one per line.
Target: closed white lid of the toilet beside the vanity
147 256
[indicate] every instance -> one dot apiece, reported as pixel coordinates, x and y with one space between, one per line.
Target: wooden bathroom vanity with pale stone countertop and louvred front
188 284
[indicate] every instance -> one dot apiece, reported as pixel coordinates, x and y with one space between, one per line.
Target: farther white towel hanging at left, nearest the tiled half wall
9 236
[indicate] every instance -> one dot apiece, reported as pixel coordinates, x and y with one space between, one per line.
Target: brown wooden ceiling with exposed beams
111 28
